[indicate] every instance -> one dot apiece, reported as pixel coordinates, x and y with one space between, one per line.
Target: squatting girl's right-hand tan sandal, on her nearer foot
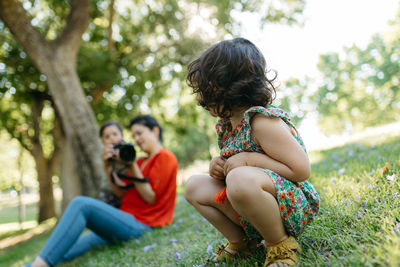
283 252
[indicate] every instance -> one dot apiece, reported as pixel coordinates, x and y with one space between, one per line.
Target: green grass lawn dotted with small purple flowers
358 223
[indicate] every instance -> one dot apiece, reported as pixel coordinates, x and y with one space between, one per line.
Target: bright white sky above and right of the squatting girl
330 25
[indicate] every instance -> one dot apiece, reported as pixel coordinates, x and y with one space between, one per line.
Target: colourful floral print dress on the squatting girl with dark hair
298 202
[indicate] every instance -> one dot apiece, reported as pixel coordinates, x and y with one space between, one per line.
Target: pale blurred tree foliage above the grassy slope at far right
360 86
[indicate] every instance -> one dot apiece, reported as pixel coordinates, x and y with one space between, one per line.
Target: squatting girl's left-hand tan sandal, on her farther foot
241 249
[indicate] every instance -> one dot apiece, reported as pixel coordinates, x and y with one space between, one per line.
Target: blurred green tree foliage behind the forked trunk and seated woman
140 69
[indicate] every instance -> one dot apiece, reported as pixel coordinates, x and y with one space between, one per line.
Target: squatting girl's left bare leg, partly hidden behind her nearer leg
199 191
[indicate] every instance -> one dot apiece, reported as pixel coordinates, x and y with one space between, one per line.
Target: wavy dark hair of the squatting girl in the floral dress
231 74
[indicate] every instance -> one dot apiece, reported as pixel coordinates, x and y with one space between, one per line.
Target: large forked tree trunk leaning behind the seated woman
57 60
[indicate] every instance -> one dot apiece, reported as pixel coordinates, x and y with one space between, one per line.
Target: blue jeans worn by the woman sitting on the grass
108 225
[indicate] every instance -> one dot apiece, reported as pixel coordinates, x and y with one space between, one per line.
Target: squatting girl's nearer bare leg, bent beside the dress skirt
252 194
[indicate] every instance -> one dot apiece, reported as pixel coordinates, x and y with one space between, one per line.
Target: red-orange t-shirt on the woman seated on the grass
161 169
